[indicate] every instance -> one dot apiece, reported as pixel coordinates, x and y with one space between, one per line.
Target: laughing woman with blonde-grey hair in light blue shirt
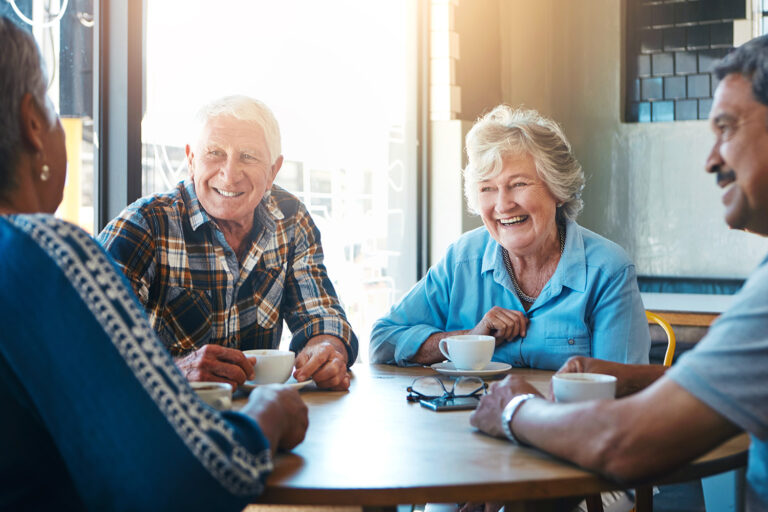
543 286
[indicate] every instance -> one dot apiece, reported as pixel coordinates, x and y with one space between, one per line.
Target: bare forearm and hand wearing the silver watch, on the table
647 433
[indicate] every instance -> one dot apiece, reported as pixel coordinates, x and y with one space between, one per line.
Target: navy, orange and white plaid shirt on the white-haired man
196 292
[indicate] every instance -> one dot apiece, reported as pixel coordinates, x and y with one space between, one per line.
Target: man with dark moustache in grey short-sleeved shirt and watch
716 390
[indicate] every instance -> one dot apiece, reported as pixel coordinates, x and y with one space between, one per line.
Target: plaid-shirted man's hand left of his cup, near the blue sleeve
217 364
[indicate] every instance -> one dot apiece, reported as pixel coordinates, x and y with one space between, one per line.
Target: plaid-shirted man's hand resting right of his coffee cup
323 359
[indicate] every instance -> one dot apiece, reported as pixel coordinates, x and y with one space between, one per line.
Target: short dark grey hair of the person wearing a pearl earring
21 72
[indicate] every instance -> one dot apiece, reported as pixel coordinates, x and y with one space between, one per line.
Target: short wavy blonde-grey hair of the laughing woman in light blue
507 131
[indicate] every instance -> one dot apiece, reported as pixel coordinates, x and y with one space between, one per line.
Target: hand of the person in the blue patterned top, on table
280 413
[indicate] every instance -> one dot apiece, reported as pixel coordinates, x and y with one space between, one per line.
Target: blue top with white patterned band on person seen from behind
95 415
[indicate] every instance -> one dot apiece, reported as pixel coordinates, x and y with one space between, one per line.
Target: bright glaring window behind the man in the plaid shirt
336 75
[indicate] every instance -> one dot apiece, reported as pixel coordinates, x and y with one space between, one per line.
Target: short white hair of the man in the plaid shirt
244 108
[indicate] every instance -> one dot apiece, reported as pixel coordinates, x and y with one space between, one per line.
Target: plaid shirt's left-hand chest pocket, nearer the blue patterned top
188 314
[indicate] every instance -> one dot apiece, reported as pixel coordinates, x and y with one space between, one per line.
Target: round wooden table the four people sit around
371 447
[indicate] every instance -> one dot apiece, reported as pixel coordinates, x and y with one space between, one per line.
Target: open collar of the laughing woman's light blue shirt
570 272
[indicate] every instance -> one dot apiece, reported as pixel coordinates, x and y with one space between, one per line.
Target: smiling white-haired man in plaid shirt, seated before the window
223 258
